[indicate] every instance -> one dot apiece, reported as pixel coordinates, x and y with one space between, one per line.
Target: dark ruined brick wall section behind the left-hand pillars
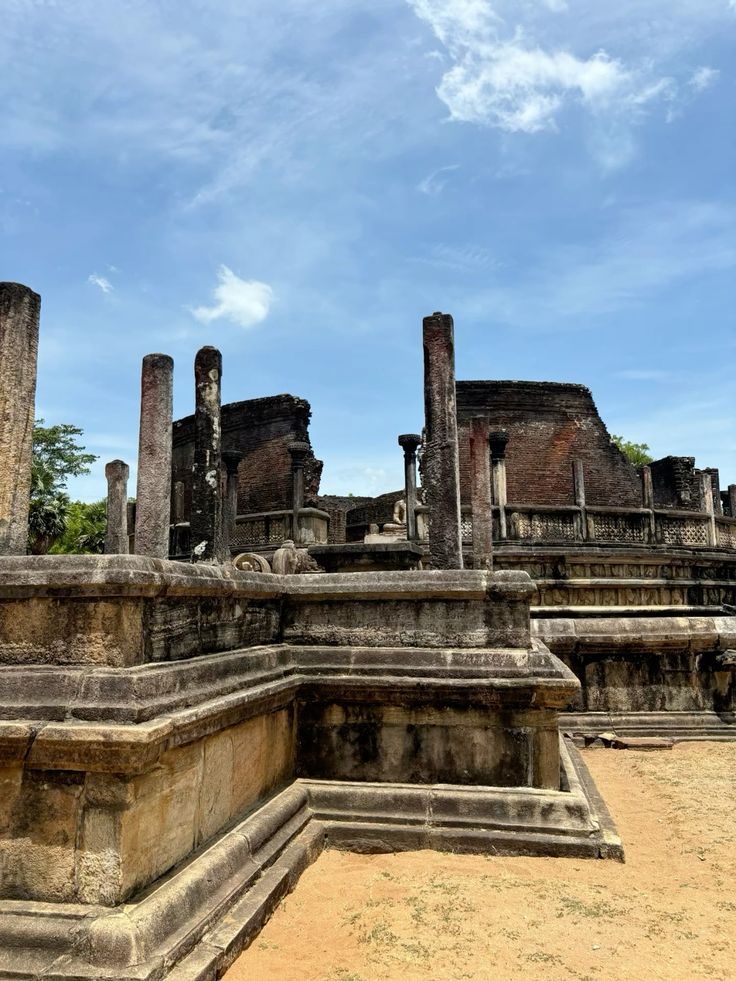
262 430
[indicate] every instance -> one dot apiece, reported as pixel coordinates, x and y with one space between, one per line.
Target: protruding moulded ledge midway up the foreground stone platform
124 720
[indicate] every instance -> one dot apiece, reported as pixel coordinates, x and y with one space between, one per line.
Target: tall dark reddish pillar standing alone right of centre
441 464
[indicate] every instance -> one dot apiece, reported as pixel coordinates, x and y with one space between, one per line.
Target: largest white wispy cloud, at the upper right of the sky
513 69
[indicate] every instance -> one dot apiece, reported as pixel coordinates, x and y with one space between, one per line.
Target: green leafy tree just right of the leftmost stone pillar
57 455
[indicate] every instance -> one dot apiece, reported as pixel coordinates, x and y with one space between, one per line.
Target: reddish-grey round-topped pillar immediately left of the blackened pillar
153 495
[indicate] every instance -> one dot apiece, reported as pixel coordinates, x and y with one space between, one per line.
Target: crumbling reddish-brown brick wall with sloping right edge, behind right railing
549 425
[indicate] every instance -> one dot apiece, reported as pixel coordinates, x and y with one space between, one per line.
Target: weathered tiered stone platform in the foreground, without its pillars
177 742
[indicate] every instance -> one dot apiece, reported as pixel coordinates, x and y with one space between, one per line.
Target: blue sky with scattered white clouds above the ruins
299 183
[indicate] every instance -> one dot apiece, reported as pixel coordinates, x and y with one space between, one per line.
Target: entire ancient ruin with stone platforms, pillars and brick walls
181 736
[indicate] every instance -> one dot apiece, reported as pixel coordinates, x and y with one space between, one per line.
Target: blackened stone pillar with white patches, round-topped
206 515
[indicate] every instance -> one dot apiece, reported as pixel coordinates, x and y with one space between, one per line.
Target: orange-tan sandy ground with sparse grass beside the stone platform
669 912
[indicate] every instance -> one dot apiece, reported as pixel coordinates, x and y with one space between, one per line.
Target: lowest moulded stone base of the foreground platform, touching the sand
190 925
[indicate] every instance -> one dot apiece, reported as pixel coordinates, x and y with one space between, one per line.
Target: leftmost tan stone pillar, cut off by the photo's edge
19 312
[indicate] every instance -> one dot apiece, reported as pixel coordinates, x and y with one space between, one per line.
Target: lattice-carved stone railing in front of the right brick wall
566 524
